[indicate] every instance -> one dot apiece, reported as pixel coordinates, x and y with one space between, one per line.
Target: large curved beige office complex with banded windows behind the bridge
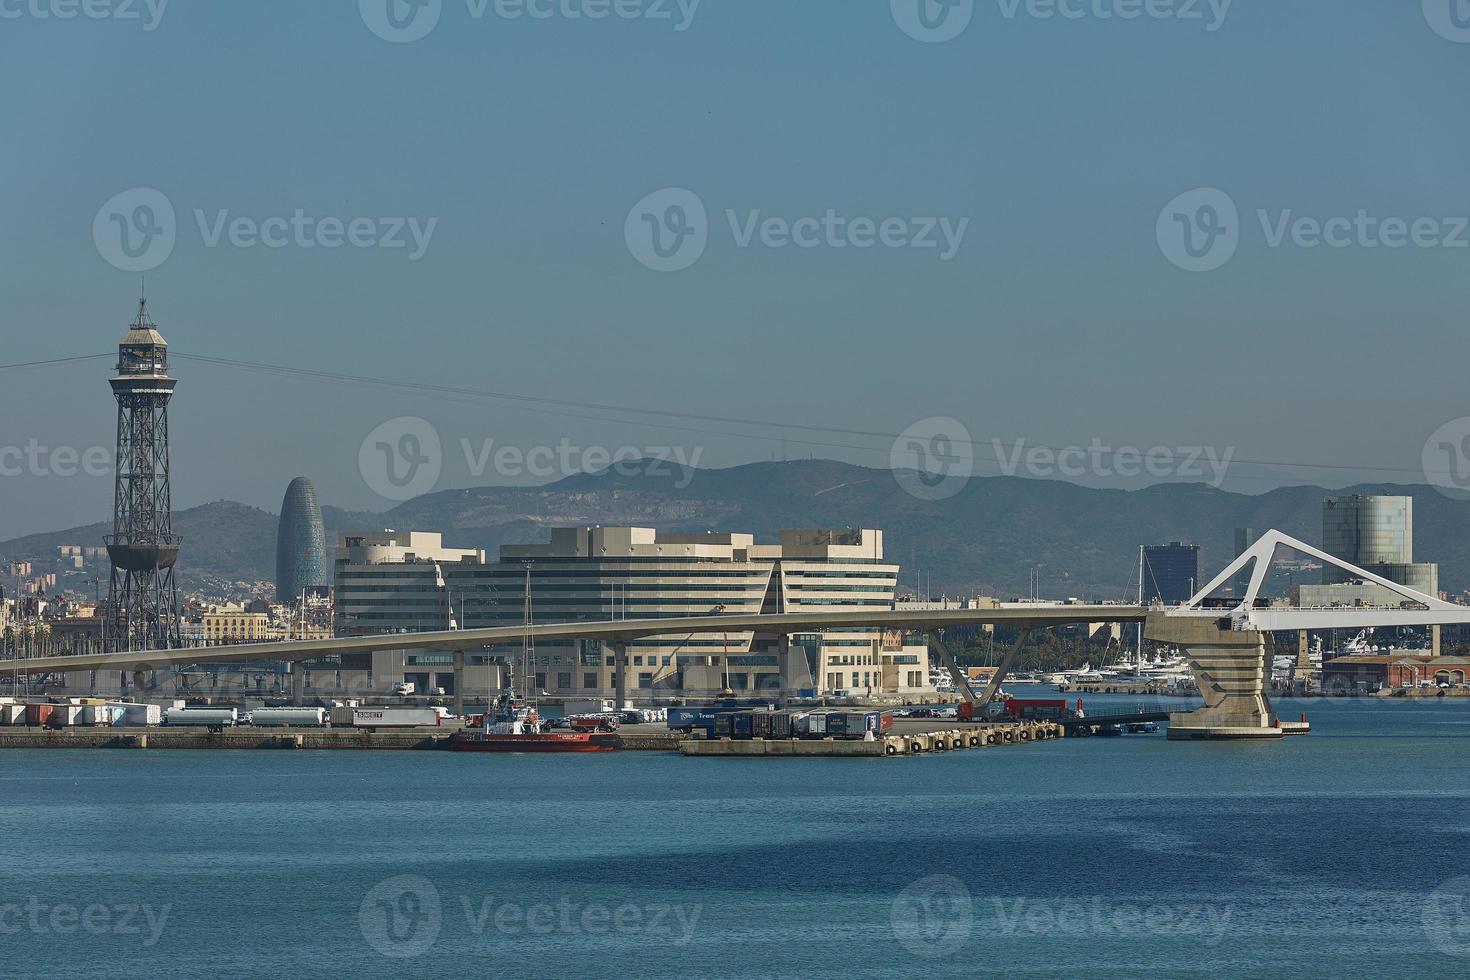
411 583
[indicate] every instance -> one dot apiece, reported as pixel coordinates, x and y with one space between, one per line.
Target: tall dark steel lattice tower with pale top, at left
143 606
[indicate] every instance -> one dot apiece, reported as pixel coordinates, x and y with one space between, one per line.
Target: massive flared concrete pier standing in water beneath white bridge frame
1231 669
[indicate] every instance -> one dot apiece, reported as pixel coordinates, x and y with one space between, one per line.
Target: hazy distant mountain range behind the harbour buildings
986 540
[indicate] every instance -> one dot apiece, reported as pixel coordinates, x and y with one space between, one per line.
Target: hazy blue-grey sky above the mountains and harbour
1061 309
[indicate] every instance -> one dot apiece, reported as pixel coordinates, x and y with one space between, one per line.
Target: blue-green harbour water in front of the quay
1344 854
